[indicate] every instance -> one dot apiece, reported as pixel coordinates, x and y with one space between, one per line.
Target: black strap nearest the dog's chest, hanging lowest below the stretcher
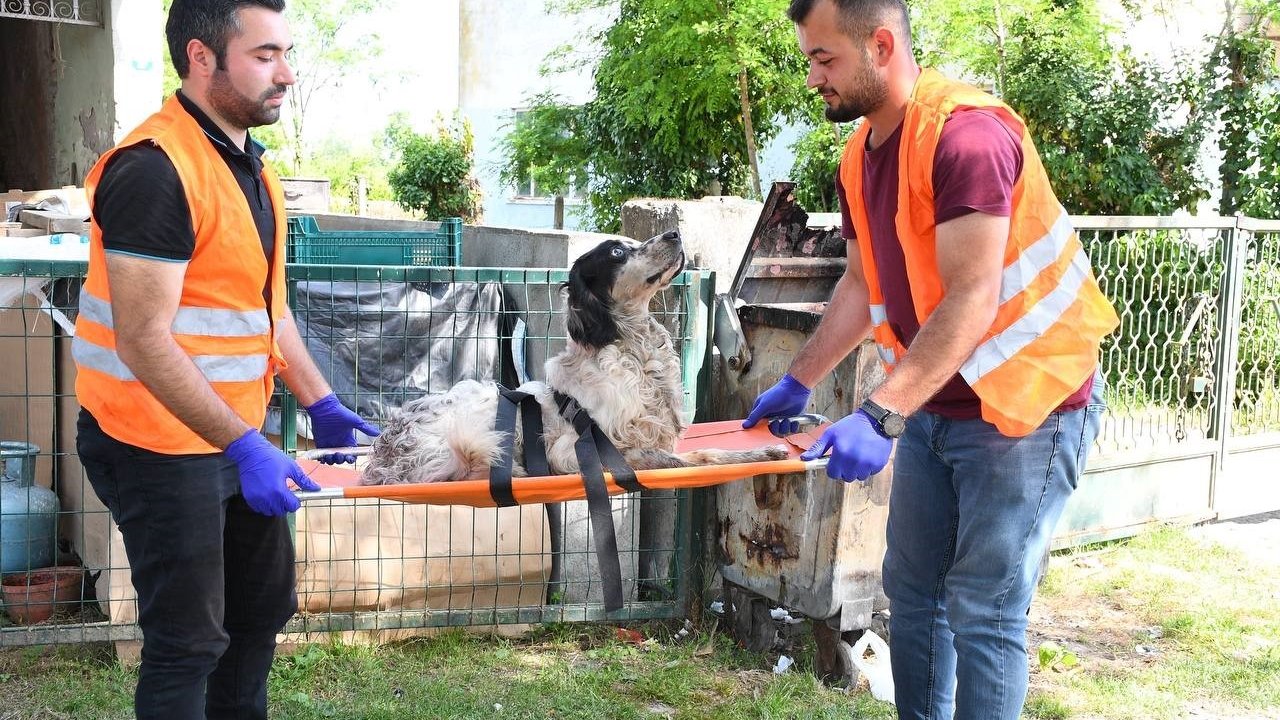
595 452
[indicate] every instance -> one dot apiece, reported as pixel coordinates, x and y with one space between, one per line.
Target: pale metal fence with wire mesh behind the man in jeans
1192 380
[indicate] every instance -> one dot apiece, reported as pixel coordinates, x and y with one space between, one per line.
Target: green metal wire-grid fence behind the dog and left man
373 567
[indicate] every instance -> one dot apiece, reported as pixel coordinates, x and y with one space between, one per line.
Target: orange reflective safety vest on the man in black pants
223 322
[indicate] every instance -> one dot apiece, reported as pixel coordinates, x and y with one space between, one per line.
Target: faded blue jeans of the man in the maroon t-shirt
971 517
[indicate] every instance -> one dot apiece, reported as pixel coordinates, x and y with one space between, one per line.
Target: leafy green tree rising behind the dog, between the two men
675 89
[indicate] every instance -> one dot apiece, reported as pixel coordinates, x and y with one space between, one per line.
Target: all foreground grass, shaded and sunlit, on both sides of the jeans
1159 627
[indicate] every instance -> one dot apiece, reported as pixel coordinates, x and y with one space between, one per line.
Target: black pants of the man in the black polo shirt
214 580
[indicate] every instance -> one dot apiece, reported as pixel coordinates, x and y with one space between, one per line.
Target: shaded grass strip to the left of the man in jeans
564 672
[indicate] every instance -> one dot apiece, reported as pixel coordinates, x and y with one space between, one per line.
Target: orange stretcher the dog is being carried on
344 482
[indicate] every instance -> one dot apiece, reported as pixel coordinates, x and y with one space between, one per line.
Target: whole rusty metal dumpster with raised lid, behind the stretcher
803 541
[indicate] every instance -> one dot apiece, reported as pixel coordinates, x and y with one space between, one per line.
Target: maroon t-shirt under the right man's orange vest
975 170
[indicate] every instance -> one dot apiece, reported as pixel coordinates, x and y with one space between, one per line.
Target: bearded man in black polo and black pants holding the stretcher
182 330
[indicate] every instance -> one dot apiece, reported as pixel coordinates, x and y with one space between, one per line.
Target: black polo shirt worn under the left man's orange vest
141 207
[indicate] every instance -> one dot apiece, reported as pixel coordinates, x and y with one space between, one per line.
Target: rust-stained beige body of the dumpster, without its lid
806 541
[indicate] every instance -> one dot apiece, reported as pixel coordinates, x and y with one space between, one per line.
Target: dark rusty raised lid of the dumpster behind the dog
792 263
